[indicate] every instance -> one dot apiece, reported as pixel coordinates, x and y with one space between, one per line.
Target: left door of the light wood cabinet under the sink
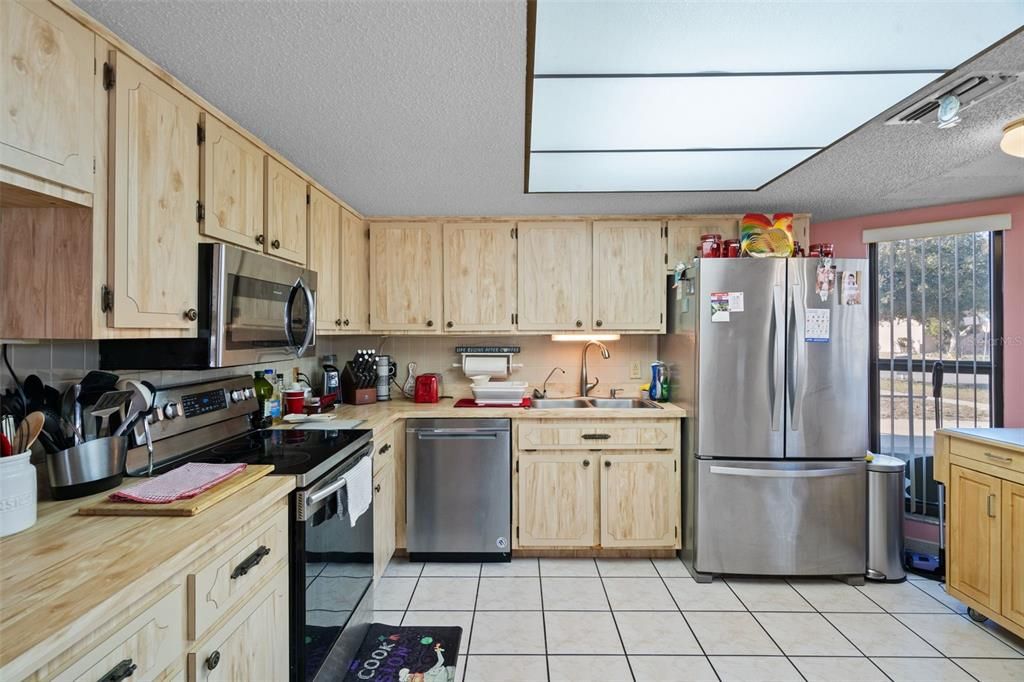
558 500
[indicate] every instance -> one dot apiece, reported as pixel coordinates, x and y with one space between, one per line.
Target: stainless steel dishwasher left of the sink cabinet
459 490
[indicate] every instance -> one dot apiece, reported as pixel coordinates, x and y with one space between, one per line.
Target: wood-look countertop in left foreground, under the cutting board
70 573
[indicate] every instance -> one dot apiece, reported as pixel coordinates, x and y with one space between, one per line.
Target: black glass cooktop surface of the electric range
308 455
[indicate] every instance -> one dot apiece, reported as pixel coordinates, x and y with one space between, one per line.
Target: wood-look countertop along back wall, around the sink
382 415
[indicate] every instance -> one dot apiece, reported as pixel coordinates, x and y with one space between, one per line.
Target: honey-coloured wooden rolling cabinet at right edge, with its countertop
986 521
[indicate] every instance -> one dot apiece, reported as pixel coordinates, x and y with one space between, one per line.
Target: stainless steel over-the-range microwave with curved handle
252 310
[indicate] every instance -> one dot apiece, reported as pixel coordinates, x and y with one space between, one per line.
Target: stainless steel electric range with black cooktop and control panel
331 563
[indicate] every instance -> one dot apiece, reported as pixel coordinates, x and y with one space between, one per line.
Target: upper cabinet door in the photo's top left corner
47 67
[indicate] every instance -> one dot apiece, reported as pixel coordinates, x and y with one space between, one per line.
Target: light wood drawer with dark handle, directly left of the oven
216 588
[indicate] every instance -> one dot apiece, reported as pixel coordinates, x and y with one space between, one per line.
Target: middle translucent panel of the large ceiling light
702 113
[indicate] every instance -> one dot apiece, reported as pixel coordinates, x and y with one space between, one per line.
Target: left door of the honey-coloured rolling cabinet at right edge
974 535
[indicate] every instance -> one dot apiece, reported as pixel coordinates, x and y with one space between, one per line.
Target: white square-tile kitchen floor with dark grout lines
582 620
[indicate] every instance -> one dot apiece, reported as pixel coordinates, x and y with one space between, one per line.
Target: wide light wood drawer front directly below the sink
611 435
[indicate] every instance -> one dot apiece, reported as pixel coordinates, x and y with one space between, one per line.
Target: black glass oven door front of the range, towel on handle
332 575
